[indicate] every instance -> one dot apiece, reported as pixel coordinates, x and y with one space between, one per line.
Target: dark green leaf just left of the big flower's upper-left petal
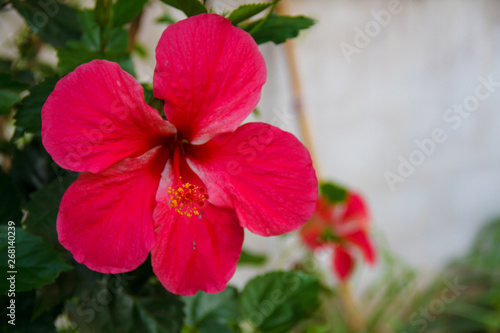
29 114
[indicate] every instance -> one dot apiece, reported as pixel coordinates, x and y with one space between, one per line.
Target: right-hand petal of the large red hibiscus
266 174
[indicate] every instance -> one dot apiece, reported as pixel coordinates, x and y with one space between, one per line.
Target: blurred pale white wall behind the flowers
368 111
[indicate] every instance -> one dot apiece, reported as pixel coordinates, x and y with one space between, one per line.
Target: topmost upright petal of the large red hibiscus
210 75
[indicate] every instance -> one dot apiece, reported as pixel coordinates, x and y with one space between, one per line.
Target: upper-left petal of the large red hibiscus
96 116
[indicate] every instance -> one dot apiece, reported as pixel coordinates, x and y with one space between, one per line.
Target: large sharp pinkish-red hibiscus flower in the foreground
182 189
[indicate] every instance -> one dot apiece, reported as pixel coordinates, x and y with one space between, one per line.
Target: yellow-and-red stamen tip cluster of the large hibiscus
187 199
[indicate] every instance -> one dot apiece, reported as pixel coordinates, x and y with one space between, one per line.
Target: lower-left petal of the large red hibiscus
106 220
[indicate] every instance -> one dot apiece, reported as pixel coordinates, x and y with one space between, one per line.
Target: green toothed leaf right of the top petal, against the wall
277 28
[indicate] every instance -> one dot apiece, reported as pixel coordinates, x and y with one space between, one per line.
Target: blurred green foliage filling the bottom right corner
463 297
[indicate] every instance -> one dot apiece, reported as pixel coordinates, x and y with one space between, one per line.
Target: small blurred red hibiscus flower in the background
342 226
